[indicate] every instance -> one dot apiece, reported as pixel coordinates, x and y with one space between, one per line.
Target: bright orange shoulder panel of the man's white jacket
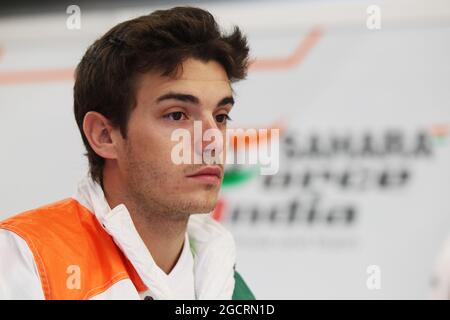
76 258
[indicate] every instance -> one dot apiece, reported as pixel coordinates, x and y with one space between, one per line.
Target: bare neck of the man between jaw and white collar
163 234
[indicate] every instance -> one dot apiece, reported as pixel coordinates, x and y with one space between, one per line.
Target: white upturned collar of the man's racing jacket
212 245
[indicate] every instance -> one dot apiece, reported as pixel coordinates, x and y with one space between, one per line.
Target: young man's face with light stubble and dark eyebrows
152 179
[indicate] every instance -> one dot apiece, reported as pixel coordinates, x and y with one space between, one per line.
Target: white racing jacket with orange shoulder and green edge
79 248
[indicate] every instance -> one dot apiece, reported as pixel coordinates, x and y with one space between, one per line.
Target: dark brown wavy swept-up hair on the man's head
105 78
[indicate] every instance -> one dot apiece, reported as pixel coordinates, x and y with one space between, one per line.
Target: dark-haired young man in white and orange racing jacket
137 228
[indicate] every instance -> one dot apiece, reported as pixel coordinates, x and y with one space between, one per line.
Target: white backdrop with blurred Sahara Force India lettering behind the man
359 206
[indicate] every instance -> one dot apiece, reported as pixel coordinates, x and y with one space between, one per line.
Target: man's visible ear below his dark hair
99 132
